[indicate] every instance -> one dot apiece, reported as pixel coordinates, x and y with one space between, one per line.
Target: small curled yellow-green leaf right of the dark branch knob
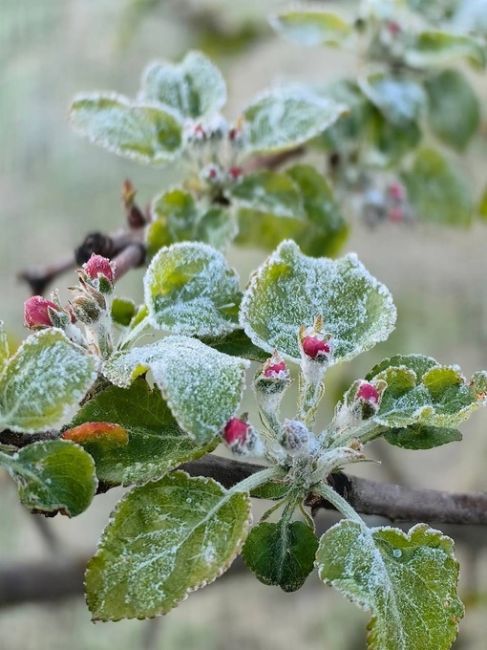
177 217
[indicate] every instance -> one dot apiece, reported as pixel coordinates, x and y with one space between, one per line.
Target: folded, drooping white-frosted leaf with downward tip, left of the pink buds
202 387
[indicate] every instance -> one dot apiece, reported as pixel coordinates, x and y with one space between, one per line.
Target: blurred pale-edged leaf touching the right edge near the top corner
436 47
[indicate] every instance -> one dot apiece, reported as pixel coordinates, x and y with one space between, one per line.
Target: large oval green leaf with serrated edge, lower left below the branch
163 541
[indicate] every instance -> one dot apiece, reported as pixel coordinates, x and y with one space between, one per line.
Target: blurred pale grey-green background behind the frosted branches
55 188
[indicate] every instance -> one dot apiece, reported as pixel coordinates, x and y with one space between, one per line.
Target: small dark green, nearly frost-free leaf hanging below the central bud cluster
281 554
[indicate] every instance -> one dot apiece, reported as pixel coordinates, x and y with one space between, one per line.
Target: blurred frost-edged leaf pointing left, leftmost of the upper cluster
147 134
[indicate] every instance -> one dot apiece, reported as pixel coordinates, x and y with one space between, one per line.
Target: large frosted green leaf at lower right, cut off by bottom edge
407 582
